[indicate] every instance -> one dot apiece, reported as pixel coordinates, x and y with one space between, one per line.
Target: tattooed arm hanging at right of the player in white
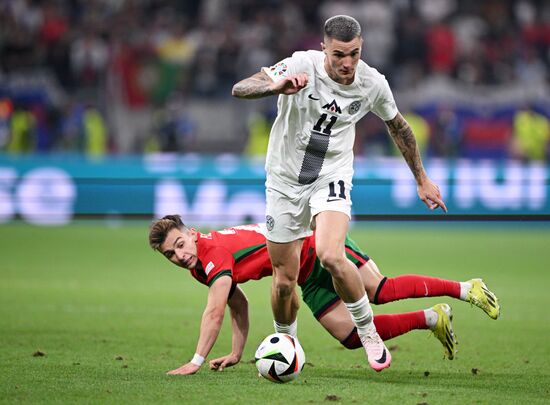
403 137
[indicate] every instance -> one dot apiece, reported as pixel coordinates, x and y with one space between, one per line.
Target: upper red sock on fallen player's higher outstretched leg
414 286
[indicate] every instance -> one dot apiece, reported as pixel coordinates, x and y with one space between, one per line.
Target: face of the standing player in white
342 58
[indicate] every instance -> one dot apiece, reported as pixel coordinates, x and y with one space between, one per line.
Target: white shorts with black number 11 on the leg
291 210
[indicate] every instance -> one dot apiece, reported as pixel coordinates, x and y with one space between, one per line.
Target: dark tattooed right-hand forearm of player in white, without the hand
403 137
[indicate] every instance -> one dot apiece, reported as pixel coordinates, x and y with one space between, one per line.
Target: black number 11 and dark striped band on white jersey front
316 150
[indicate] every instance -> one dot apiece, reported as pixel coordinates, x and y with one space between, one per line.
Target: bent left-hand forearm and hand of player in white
260 85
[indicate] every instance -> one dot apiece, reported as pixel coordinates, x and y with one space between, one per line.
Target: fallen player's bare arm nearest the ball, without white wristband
238 305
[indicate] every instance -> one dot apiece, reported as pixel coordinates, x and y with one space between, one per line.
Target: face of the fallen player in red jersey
181 248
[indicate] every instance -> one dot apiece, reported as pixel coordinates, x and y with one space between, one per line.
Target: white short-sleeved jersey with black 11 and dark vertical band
314 132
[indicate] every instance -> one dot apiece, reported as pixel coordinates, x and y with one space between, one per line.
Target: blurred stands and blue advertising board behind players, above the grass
124 108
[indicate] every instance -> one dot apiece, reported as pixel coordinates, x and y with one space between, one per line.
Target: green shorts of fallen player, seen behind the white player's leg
318 291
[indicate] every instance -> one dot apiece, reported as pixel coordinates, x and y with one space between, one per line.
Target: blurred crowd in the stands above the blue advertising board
116 76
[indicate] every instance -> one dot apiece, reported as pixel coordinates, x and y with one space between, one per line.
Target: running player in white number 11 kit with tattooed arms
309 167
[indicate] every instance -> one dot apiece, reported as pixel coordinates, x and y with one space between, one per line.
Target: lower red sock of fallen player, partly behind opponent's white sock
390 326
